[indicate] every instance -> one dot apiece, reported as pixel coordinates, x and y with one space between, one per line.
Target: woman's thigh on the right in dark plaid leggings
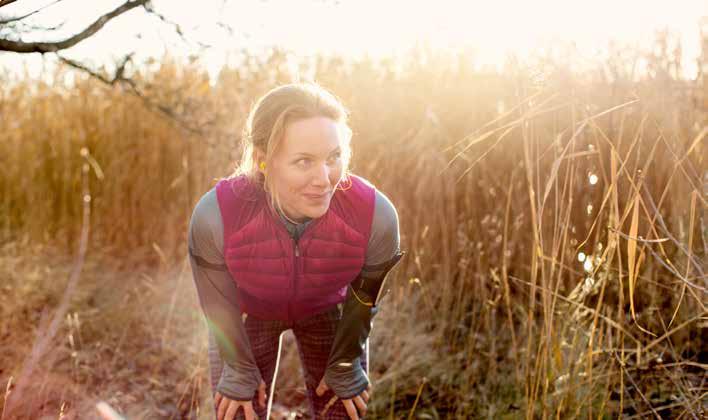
314 337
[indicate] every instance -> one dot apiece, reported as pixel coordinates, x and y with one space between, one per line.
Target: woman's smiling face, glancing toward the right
307 167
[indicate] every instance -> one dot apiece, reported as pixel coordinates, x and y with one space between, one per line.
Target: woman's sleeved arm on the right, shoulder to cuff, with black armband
344 373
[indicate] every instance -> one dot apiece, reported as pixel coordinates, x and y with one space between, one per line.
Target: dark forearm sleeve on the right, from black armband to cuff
344 373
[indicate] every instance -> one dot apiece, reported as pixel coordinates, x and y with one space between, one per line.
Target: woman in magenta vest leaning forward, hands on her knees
292 241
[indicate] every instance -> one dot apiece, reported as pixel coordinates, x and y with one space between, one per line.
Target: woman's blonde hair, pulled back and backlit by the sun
270 116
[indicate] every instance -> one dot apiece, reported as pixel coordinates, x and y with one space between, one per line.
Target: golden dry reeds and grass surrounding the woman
500 180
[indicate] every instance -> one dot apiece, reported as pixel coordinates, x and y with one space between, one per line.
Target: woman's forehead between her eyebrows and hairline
312 136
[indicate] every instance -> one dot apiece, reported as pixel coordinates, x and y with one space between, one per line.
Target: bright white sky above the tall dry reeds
491 29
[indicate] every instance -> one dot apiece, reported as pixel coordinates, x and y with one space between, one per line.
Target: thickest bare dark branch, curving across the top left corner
45 47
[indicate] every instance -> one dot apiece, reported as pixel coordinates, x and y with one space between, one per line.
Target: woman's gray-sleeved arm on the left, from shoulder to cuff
216 288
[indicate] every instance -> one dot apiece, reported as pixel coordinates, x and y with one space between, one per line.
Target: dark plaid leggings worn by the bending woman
314 336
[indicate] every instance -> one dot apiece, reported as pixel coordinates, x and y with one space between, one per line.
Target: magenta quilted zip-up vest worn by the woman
278 278
